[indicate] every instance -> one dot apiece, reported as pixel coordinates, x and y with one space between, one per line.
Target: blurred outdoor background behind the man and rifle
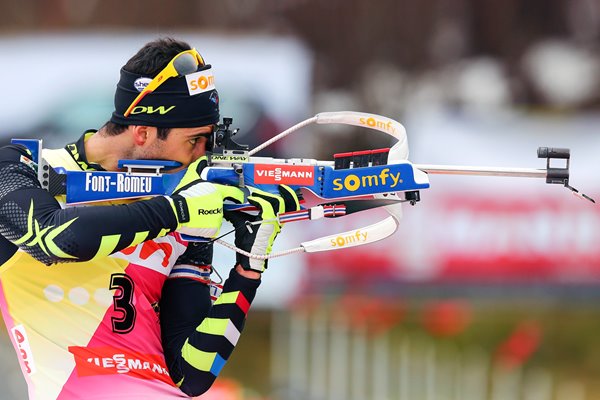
491 287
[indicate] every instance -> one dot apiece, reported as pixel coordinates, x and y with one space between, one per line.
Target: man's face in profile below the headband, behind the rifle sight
184 145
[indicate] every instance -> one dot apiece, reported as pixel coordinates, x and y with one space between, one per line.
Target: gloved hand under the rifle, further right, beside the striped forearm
259 238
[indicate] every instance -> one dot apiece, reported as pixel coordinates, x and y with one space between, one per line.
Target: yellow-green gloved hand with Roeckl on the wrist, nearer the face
198 205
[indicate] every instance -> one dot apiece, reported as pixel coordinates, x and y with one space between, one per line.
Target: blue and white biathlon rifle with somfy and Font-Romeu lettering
350 183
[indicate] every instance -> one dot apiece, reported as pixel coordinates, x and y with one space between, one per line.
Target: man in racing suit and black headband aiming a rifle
81 286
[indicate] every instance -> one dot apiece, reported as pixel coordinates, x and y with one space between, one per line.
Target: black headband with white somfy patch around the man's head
180 102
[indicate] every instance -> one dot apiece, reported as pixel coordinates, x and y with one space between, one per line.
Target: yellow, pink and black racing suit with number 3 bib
81 288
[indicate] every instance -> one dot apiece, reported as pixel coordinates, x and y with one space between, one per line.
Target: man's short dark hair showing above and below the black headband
149 61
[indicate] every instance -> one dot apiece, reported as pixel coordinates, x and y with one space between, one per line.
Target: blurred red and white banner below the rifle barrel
543 237
